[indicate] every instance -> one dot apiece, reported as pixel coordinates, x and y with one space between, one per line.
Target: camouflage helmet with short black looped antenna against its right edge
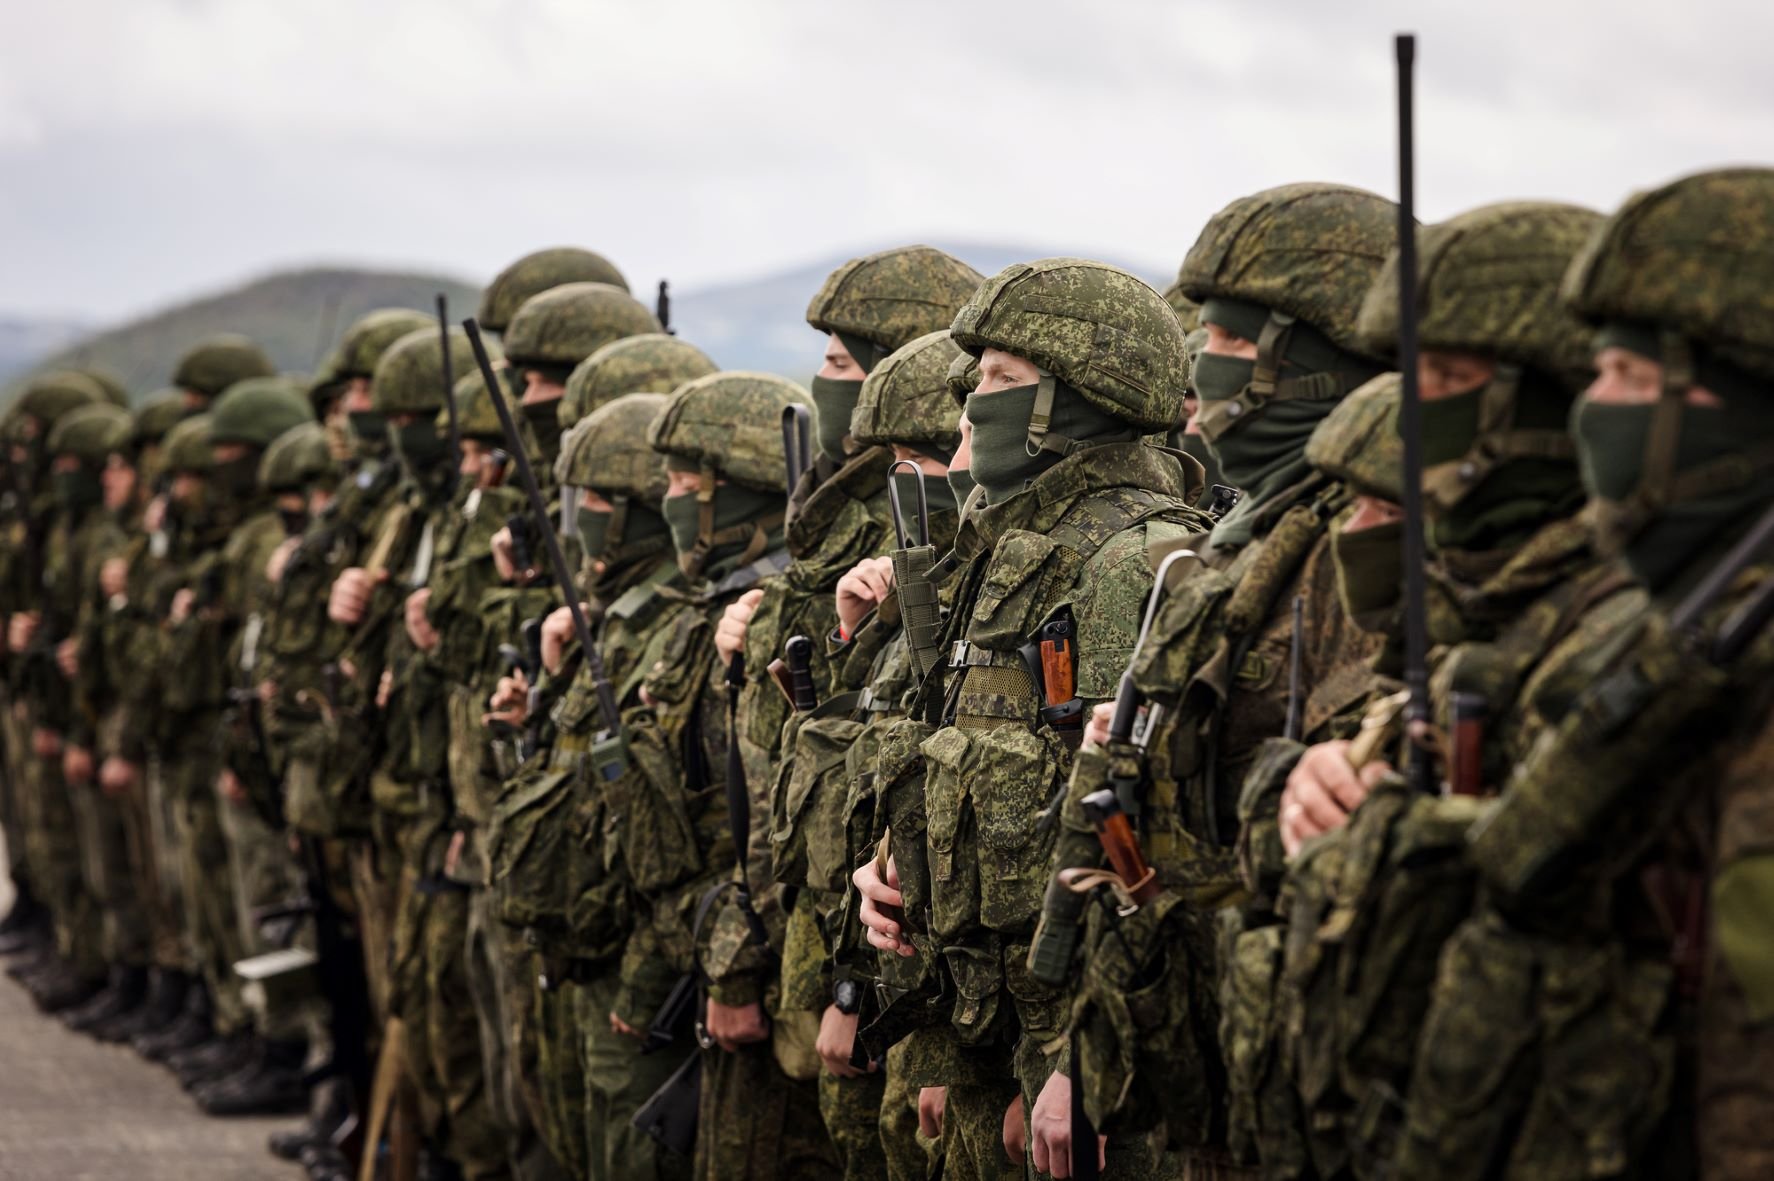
730 423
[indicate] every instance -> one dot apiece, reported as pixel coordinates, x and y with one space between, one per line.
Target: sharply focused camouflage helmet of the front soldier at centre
1094 327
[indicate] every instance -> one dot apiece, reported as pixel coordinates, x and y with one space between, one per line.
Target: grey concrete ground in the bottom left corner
77 1111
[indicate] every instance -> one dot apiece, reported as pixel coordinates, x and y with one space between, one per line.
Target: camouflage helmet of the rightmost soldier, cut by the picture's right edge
1695 256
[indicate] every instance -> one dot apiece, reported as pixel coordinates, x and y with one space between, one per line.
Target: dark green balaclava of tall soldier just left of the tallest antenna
1259 428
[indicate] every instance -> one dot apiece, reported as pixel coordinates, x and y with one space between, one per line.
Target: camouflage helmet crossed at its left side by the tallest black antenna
1487 283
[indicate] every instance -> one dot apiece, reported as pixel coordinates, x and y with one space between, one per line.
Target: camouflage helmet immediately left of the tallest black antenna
1310 251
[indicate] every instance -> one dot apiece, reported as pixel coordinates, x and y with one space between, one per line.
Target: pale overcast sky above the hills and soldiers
157 150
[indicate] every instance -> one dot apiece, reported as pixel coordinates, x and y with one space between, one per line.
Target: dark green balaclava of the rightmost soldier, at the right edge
1722 473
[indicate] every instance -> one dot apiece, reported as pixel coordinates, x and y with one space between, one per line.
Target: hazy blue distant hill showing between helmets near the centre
762 324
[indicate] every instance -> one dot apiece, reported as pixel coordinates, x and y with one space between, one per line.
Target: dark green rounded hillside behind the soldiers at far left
294 315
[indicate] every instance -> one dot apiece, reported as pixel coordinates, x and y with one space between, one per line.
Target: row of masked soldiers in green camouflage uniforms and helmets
938 770
